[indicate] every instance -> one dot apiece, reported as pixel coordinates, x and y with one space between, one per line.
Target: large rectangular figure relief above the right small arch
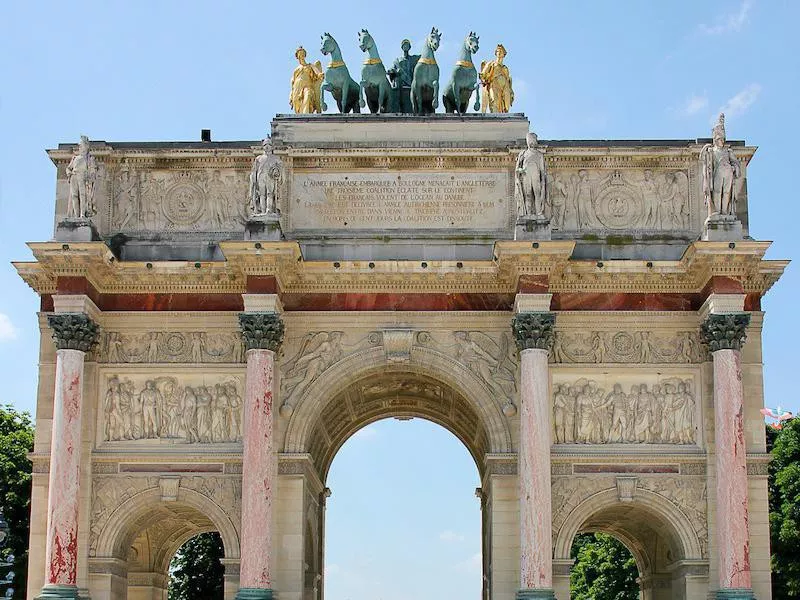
625 410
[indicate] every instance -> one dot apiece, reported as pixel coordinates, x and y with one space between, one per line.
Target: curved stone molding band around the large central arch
373 361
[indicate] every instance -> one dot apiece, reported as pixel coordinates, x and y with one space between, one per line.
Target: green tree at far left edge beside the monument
16 441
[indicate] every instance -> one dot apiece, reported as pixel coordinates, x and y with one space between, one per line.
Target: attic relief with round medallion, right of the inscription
641 200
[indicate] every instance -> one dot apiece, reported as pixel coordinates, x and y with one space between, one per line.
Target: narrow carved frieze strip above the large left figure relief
171 347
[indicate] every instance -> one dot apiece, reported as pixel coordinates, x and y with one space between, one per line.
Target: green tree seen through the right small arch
604 569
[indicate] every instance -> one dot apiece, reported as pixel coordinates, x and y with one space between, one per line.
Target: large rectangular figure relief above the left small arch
191 409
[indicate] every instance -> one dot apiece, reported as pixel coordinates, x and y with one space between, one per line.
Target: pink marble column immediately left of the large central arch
262 333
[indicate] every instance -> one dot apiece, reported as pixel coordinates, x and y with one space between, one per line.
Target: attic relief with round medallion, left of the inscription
188 200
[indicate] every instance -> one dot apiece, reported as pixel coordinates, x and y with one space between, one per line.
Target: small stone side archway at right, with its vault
661 538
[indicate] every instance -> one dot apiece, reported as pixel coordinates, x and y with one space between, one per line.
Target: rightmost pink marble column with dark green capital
724 334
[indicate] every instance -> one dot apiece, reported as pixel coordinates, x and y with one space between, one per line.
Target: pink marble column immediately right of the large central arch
533 332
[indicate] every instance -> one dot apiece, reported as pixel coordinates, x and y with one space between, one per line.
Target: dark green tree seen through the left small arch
196 570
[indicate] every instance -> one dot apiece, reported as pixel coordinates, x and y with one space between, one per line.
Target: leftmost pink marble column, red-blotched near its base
74 334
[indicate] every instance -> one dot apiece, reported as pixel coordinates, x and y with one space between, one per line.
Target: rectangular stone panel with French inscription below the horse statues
480 201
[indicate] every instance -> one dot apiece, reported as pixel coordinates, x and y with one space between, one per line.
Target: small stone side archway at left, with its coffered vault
143 533
